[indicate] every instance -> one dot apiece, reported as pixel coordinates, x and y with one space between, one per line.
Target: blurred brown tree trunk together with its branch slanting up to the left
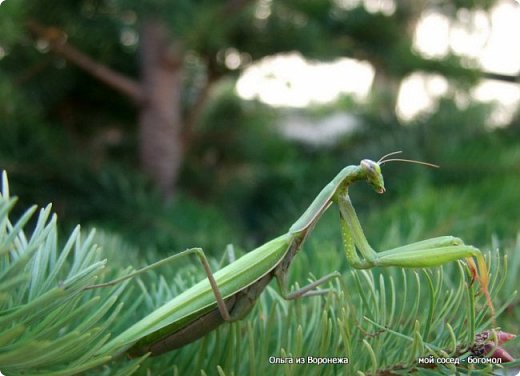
157 94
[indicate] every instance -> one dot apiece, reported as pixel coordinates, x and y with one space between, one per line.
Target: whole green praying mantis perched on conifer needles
230 293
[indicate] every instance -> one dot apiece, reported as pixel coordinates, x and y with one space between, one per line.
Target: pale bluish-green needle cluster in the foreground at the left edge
48 325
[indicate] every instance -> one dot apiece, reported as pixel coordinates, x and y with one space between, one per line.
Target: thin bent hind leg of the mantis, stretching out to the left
205 264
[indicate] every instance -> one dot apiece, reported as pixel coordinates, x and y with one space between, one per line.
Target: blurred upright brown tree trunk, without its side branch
160 122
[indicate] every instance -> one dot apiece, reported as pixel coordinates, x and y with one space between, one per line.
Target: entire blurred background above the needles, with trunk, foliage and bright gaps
201 123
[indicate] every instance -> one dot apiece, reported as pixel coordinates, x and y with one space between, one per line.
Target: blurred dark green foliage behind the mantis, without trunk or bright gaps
67 139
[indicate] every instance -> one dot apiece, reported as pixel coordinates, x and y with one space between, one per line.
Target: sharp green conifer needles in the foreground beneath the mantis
381 320
